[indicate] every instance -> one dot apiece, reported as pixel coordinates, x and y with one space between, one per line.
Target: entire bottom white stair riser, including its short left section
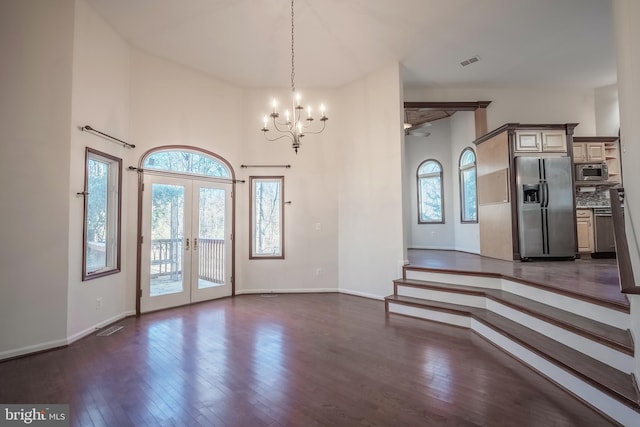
570 382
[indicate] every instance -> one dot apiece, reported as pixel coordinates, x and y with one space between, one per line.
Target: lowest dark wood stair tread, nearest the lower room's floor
608 380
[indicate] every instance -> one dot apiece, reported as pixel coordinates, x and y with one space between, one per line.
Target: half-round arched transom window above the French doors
186 161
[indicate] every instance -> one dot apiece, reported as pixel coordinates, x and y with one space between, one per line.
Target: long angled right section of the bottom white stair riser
601 401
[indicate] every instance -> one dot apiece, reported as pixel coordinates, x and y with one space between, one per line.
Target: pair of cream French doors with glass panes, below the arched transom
186 248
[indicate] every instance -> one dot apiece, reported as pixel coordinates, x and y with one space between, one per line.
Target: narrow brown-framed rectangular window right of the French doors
267 217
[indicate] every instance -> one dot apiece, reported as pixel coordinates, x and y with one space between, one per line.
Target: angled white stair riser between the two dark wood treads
605 354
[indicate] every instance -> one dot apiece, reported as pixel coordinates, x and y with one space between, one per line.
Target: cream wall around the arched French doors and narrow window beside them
172 104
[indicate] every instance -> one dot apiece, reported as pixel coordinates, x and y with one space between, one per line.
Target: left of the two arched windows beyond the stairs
430 197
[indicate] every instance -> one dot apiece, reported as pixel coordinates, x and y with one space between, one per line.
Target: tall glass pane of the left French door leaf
167 239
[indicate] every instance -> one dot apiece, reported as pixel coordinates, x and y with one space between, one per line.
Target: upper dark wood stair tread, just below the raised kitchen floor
613 337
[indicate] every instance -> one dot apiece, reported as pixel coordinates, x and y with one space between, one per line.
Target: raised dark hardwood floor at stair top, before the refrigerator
593 279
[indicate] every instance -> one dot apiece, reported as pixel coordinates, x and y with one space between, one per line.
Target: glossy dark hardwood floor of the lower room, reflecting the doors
289 360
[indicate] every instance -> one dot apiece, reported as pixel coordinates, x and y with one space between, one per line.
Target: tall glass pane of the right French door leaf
211 233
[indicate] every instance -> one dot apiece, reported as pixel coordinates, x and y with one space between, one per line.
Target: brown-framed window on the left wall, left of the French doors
102 189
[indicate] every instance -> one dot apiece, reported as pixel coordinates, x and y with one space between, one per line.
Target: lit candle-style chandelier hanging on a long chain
294 126
